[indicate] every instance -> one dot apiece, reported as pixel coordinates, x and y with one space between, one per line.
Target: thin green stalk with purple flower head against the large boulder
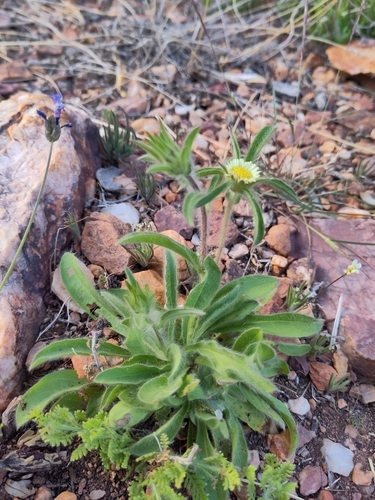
52 132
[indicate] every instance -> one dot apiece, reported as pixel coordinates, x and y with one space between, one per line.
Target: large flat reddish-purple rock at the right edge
358 316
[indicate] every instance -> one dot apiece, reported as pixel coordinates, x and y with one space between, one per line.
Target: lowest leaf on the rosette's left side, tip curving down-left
47 389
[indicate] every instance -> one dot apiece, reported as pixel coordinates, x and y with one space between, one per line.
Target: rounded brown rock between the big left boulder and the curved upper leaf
99 242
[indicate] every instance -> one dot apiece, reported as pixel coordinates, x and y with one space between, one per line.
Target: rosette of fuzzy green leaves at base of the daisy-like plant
206 365
